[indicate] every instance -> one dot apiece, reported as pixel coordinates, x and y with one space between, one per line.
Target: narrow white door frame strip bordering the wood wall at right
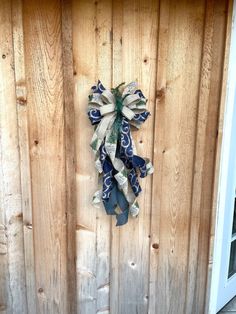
224 160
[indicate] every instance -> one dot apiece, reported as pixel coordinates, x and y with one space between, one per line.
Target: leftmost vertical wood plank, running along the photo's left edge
12 267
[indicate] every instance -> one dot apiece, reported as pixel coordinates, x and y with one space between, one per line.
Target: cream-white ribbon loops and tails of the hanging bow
106 103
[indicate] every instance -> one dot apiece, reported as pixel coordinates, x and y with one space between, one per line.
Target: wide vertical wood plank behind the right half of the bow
135 27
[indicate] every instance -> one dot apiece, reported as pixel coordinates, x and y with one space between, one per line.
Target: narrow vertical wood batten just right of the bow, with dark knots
158 155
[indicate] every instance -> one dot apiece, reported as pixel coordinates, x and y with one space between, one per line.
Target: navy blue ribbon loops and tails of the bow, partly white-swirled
112 196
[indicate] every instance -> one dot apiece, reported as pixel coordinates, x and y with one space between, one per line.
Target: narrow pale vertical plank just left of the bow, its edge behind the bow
84 69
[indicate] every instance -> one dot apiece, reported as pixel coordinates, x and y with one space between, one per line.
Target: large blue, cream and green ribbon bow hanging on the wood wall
112 113
